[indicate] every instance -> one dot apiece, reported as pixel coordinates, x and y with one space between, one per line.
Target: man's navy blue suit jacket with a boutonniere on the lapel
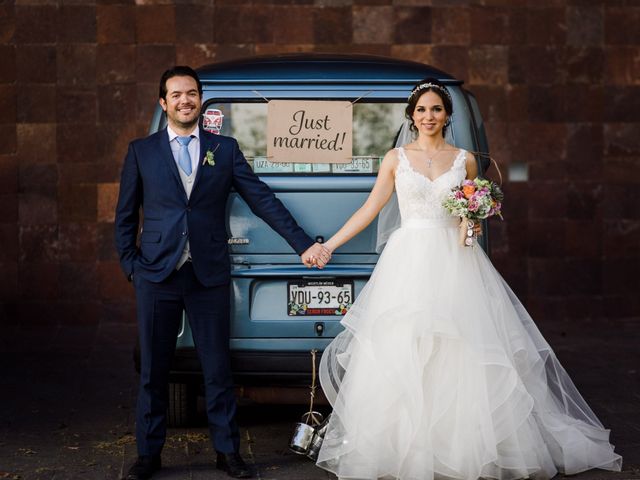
150 180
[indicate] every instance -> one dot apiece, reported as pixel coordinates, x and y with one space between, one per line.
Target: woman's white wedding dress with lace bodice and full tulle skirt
441 373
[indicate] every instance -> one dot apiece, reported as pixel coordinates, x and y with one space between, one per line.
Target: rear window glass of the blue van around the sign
375 126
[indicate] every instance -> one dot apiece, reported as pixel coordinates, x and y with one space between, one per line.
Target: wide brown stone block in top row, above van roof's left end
243 24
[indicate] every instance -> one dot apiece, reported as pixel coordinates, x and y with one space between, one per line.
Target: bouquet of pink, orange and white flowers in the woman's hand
474 200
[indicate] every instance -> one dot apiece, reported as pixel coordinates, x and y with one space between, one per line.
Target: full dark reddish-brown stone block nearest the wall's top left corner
36 24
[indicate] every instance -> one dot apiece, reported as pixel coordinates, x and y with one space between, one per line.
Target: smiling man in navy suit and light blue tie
181 177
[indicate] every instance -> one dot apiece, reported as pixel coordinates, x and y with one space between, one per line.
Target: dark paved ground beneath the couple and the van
68 395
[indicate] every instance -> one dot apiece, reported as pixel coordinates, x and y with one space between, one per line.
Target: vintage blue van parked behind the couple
271 334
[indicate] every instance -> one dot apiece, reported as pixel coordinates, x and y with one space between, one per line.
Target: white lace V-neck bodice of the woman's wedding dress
420 197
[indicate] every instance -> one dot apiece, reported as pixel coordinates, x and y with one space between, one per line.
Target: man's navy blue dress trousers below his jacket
159 307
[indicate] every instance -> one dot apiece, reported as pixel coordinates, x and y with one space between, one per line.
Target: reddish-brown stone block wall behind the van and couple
558 83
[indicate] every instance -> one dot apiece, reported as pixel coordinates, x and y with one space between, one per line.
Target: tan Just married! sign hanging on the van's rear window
300 131
